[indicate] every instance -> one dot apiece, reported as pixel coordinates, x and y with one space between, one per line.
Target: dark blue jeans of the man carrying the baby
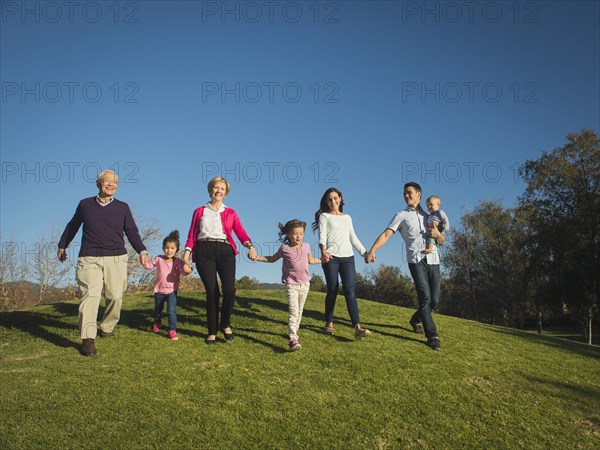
427 280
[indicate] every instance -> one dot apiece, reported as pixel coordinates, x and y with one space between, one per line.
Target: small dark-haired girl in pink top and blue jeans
168 270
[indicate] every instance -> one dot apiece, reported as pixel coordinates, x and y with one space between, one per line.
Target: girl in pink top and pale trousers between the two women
296 258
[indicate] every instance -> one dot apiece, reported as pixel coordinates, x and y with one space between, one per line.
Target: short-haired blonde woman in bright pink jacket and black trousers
211 245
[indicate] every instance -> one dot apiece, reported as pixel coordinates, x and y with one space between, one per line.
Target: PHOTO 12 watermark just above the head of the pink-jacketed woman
271 172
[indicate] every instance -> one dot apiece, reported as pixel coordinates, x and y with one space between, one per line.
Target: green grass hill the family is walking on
489 387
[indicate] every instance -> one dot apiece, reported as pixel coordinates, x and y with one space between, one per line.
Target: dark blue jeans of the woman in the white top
347 271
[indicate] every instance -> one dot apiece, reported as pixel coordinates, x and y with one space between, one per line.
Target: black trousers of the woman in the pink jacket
214 258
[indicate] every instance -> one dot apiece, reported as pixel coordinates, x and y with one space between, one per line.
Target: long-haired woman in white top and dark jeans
336 239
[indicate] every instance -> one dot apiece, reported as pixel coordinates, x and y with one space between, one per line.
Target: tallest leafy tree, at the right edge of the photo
563 197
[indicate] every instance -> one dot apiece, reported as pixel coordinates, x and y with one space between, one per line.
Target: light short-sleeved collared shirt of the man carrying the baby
412 226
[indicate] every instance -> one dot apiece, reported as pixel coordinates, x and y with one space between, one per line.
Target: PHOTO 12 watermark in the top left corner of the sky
69 12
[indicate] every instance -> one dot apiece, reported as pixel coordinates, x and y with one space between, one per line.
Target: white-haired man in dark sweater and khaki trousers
102 261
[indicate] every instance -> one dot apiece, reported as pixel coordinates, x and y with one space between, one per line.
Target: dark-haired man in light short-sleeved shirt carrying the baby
411 223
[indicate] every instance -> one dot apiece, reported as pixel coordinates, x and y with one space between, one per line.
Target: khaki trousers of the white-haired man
93 274
